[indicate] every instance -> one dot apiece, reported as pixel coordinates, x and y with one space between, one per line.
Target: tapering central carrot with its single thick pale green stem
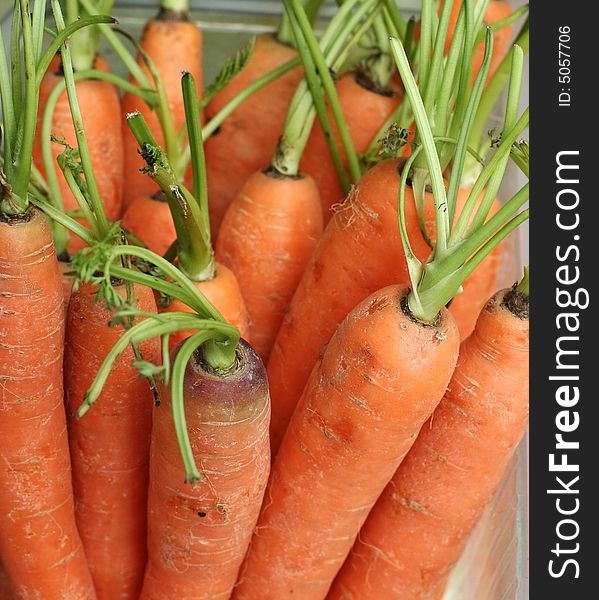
271 227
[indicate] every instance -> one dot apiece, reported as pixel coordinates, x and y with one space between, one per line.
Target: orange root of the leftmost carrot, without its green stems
40 546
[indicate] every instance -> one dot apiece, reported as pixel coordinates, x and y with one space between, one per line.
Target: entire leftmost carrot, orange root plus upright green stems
40 547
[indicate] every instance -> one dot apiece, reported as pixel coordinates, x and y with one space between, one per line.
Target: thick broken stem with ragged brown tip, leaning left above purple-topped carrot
195 252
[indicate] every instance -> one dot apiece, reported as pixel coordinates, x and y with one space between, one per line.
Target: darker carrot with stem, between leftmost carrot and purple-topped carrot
110 484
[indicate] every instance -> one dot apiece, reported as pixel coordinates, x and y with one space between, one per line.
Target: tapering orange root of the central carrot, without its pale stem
266 239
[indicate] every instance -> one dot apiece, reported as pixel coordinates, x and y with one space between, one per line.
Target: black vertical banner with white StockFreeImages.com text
564 445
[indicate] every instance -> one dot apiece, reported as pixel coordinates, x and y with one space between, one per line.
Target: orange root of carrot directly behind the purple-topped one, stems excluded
224 294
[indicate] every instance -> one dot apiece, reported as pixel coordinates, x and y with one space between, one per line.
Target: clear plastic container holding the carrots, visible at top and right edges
494 565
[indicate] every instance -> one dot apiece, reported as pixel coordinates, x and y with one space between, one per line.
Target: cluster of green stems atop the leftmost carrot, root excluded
19 89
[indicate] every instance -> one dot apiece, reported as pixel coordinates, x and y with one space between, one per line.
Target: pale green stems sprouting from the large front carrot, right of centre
464 240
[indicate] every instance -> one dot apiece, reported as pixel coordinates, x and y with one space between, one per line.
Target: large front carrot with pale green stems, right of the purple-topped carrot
351 427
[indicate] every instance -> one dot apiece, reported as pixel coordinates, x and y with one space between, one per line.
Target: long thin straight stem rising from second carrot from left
101 225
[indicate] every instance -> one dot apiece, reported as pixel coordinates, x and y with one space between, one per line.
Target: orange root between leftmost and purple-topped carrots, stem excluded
109 479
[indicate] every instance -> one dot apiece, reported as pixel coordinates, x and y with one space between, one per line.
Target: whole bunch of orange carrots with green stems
254 336
